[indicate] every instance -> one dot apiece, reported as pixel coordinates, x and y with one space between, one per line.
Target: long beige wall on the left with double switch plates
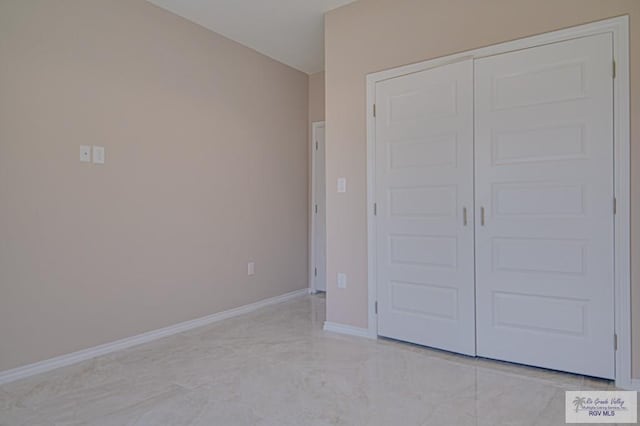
206 147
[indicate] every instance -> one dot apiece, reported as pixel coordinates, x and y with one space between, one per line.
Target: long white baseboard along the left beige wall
85 354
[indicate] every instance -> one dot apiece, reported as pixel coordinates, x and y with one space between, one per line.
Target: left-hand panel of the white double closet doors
424 183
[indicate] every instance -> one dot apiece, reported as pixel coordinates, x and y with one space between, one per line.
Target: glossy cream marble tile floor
278 367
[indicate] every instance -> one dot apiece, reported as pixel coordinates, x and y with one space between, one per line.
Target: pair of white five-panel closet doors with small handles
494 192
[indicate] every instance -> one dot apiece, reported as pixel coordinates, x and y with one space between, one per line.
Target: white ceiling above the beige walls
289 31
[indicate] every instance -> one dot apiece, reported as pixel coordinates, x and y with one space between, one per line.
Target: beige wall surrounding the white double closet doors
372 35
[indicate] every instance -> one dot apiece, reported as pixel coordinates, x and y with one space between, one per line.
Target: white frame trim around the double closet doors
619 28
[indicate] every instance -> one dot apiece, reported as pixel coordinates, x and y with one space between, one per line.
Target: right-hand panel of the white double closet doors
544 177
